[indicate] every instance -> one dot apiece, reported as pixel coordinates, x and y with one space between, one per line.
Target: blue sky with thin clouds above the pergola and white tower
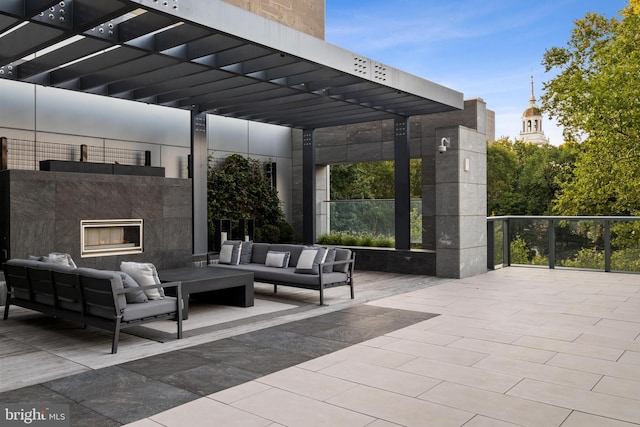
483 48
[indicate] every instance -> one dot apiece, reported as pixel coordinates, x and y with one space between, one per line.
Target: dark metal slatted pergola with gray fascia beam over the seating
208 57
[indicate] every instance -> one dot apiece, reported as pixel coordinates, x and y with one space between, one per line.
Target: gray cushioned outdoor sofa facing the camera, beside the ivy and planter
308 267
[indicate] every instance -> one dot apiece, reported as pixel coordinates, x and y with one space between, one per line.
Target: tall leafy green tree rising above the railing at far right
595 96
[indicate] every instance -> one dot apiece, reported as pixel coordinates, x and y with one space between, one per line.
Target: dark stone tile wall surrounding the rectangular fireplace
41 213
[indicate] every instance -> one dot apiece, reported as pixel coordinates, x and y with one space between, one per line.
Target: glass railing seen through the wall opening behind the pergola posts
371 217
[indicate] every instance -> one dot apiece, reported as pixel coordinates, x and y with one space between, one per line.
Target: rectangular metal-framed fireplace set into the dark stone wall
110 237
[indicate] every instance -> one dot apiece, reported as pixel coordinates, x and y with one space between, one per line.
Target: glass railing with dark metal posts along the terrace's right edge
610 243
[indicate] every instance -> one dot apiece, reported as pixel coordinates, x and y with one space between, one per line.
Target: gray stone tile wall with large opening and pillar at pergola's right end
453 183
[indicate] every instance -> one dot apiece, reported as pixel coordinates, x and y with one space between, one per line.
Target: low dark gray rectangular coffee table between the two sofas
227 286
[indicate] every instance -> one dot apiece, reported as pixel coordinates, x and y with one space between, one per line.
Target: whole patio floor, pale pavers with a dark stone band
515 346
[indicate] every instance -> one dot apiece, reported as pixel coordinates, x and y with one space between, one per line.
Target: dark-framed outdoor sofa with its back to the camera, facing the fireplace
88 296
